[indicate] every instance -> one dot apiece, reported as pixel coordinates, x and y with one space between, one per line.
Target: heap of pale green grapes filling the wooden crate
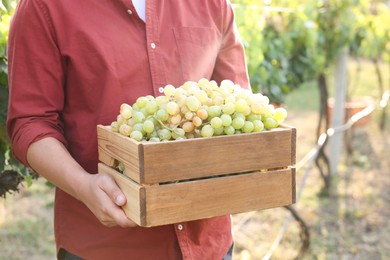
197 109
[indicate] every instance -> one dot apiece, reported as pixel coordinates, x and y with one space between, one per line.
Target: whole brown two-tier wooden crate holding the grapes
185 180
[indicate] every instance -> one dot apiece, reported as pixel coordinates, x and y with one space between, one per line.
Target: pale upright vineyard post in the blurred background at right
338 116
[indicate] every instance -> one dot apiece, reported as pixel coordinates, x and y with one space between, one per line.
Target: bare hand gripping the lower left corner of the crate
104 198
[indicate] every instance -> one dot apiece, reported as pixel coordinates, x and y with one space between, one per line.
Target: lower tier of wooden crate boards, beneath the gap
190 200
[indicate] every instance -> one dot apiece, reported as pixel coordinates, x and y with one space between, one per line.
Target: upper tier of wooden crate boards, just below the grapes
149 163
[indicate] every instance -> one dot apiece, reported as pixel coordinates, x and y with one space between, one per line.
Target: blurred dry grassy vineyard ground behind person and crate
351 222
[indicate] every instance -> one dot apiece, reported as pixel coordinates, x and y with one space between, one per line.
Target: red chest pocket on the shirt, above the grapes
198 50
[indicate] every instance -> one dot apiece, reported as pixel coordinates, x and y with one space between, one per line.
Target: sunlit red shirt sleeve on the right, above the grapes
231 63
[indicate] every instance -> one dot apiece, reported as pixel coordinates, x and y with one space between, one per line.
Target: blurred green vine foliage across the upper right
291 42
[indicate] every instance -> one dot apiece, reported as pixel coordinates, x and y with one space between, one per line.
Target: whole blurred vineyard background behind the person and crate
313 58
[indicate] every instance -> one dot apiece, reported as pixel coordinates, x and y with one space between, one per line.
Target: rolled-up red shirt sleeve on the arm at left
36 79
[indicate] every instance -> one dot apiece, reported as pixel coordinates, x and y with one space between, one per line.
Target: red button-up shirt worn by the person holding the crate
72 63
